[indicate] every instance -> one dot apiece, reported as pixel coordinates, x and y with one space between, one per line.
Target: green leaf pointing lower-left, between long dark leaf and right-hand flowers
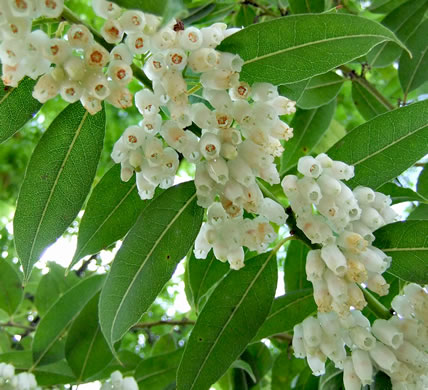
287 311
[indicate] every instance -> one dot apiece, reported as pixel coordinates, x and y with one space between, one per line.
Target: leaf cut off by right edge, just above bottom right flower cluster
407 244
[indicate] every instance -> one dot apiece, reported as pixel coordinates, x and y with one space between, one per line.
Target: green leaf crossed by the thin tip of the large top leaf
402 21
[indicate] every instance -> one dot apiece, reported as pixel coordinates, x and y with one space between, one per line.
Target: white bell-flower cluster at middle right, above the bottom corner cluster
342 221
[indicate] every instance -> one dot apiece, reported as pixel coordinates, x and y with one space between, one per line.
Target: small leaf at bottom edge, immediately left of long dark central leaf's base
157 372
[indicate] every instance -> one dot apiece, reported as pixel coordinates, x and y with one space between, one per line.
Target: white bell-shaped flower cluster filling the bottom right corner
398 346
